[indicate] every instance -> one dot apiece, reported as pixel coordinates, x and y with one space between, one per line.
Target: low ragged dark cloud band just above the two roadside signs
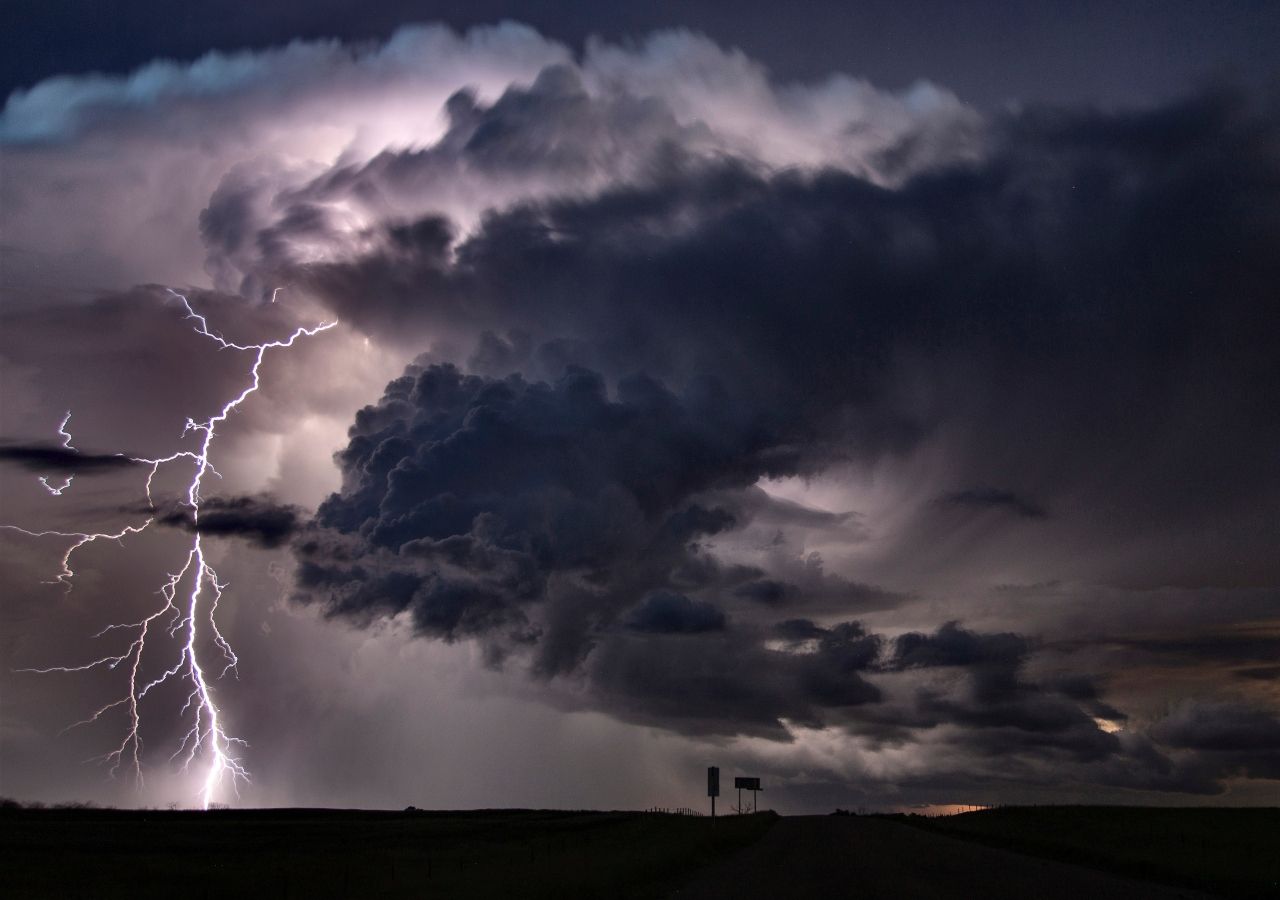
984 706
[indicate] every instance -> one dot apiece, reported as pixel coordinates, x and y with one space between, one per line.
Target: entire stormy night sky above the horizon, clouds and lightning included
880 399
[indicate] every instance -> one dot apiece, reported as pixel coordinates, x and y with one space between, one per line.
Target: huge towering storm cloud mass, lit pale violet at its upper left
877 438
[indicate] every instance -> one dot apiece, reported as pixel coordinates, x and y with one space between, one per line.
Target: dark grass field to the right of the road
1235 853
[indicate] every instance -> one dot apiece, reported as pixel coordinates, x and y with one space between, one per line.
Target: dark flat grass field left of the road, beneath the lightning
75 855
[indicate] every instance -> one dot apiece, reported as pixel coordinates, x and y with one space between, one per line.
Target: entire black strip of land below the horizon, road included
1031 853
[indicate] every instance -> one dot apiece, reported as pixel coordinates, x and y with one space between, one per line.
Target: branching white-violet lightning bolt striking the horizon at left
189 615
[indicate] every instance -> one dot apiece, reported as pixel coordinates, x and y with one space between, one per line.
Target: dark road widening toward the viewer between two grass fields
879 860
